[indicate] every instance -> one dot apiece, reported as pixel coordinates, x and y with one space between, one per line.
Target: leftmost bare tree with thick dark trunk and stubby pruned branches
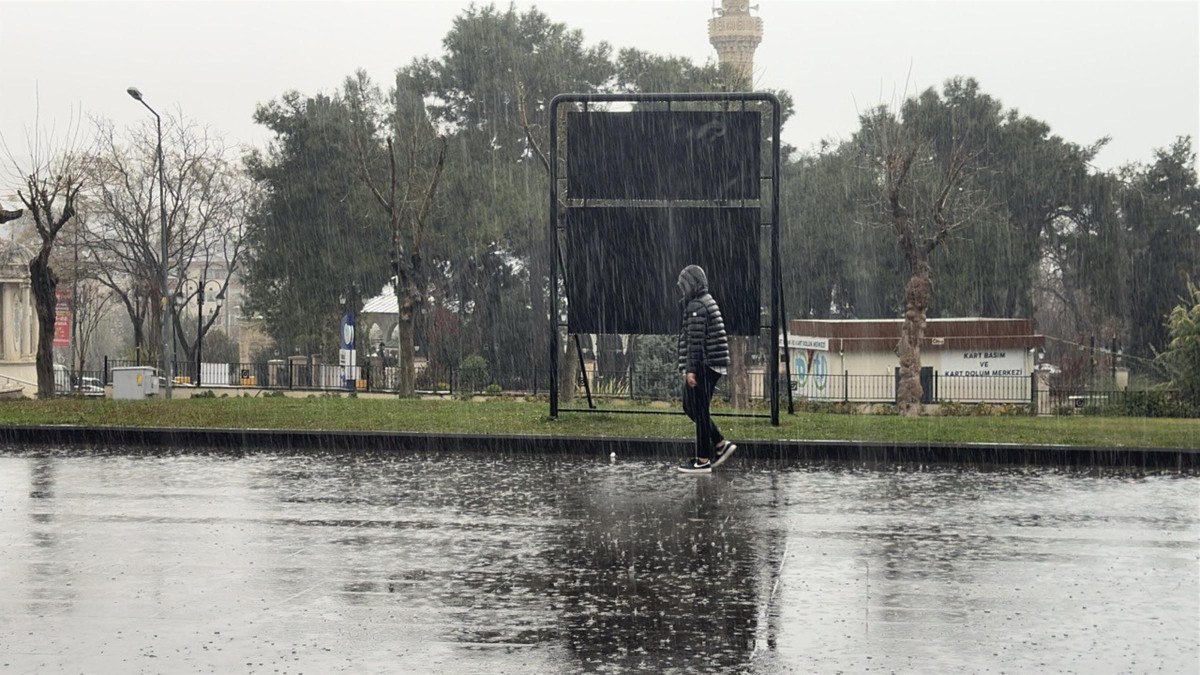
51 184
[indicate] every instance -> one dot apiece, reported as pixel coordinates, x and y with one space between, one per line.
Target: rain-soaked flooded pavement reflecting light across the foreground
470 564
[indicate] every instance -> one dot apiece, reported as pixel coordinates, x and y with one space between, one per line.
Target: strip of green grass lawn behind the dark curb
523 417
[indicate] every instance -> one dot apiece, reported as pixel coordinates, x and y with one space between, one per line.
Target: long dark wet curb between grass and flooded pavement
167 441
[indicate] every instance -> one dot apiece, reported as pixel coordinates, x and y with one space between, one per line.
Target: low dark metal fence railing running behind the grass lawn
1029 391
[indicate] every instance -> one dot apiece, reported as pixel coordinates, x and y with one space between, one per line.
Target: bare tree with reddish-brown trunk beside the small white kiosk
923 200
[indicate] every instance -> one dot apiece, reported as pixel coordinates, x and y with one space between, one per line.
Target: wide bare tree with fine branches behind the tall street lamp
206 204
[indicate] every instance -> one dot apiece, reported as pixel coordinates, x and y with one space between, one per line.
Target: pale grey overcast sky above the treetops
1127 70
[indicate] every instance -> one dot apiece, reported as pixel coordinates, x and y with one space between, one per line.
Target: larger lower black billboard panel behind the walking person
622 265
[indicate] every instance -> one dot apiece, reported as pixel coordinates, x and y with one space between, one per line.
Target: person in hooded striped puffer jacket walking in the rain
704 359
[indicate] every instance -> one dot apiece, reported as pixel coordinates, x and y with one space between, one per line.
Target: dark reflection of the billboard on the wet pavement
659 578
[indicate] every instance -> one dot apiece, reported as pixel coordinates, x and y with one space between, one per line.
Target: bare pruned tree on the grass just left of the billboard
413 176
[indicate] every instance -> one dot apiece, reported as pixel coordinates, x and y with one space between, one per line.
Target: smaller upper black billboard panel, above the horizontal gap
663 156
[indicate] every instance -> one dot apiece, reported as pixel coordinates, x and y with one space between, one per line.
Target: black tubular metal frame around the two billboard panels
778 325
